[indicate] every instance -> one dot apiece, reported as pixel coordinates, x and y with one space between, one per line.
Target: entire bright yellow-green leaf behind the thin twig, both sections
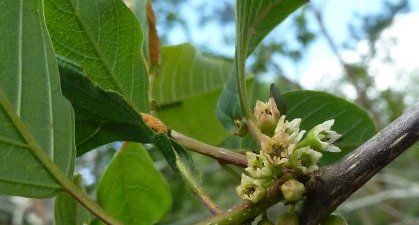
187 86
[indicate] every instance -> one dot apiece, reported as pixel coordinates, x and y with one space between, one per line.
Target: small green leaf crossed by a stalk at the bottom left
67 211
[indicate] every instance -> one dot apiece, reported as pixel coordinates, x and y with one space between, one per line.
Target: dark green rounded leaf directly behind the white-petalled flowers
315 107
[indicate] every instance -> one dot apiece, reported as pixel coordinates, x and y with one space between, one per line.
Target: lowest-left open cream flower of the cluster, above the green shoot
251 189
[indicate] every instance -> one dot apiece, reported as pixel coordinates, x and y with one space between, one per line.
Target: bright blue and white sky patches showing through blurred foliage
320 61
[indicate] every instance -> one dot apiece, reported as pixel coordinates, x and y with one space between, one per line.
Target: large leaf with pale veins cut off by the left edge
37 124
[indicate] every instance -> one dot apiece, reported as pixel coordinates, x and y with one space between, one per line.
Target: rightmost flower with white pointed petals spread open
321 138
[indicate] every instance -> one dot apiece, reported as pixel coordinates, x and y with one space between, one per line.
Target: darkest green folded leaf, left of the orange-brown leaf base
101 116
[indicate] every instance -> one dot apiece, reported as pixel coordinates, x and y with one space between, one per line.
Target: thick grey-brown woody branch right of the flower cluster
332 185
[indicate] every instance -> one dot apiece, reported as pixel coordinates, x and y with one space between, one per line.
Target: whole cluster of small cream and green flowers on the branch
283 146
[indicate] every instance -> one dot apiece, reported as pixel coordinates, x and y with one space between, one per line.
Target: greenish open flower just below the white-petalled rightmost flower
305 159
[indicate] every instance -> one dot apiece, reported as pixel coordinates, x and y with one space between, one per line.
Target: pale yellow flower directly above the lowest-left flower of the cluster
258 166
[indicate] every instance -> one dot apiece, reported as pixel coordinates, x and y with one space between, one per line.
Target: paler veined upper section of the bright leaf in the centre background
185 72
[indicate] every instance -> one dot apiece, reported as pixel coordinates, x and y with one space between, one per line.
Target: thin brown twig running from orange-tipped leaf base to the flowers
221 154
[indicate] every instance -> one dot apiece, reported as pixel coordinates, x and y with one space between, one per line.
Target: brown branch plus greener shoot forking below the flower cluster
329 187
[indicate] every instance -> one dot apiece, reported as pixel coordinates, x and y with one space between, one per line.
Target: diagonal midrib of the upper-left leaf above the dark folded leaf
98 52
